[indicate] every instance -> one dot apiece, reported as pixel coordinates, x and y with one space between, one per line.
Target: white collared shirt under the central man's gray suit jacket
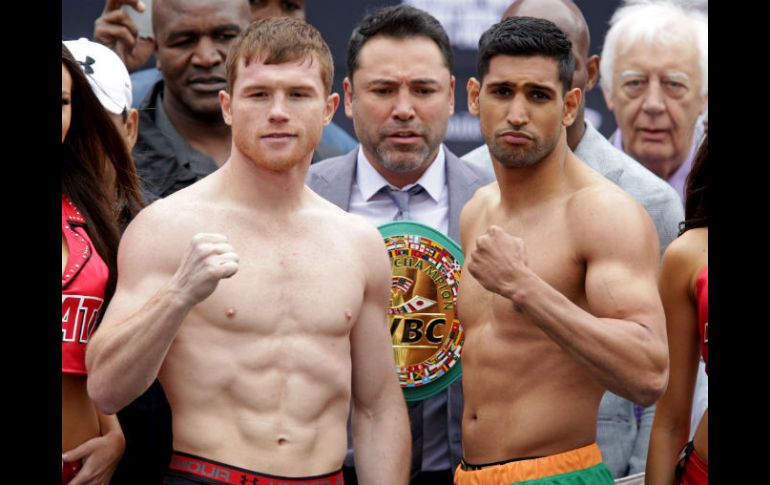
430 207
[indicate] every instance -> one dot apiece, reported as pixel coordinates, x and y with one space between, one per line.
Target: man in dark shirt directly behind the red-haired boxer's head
182 136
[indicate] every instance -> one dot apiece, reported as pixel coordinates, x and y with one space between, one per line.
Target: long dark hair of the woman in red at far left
93 141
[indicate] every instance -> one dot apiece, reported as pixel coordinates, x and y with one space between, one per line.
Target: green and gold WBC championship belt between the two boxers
427 336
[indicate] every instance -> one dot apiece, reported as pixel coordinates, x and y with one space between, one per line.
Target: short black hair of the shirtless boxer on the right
527 36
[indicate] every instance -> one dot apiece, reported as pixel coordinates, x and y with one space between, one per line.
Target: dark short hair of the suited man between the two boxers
400 21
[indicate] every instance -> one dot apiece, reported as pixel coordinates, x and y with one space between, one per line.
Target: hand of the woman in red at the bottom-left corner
100 457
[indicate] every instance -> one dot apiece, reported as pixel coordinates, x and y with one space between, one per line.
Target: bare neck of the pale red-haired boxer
258 188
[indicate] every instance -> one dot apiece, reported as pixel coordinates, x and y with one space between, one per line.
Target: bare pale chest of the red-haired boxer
285 285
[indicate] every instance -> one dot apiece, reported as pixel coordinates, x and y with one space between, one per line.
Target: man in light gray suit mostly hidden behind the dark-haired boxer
623 428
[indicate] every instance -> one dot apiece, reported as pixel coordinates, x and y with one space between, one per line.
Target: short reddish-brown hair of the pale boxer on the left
276 40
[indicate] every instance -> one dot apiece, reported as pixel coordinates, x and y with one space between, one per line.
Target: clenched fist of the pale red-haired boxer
208 259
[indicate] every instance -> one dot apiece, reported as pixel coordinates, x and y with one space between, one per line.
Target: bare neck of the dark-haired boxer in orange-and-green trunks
528 186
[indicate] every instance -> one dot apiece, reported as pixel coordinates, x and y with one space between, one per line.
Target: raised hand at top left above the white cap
116 30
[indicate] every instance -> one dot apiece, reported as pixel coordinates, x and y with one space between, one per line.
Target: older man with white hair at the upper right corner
654 76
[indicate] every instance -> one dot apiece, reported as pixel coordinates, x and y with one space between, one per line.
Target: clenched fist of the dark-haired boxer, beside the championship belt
499 261
